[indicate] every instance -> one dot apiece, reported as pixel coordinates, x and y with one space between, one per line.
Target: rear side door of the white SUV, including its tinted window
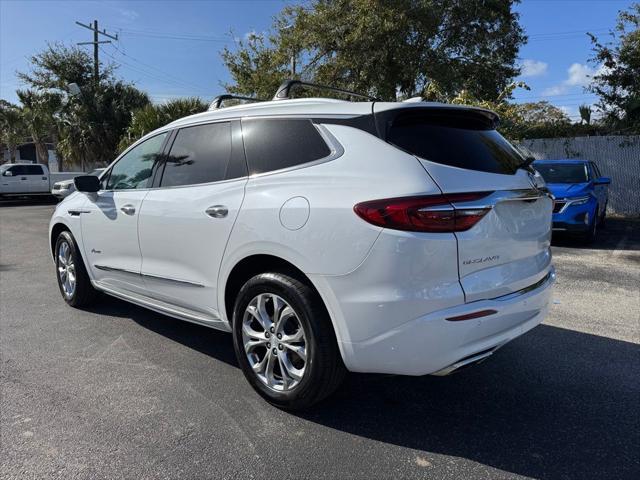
186 222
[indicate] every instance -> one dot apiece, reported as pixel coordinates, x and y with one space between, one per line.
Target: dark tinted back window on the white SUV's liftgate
457 140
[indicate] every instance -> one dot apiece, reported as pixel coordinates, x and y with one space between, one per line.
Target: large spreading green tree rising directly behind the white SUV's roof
387 48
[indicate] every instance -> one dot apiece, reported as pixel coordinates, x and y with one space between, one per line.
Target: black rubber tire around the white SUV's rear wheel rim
324 369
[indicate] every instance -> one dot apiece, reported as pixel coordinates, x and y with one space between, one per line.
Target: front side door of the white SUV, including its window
110 218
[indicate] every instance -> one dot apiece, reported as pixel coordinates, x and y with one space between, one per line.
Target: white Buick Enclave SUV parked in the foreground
327 235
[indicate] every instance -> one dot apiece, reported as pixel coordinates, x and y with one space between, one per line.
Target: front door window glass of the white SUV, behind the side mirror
134 169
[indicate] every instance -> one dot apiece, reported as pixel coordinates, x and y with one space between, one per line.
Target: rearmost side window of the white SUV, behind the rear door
272 144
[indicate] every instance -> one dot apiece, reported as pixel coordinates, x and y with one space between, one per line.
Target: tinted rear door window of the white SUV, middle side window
199 154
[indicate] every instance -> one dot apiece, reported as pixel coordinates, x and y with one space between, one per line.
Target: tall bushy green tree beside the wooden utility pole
88 126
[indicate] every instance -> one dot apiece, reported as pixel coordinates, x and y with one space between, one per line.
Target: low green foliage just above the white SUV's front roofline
151 117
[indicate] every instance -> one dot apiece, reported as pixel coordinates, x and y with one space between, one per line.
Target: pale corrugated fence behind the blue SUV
617 157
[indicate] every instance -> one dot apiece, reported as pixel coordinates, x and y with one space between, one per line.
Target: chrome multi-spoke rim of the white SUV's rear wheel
274 342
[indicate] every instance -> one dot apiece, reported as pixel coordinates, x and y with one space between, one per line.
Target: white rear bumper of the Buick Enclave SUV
432 344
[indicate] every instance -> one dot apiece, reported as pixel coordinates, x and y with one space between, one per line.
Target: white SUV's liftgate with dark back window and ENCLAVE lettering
508 249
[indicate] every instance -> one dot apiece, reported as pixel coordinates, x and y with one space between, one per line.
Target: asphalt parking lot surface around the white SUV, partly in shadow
121 392
